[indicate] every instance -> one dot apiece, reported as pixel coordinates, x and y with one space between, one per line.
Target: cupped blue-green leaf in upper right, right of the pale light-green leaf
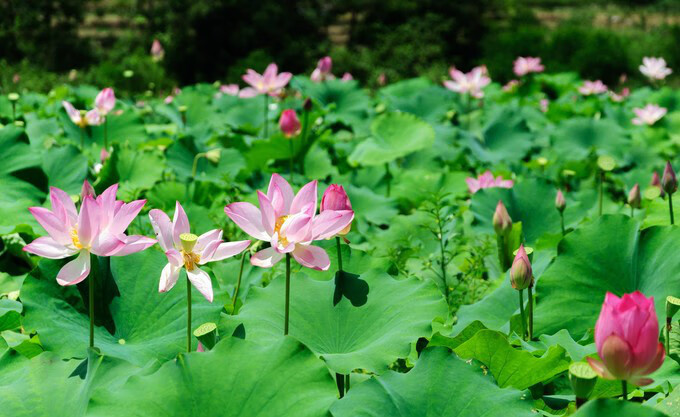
505 138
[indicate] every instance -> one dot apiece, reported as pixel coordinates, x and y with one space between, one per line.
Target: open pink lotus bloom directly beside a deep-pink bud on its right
290 223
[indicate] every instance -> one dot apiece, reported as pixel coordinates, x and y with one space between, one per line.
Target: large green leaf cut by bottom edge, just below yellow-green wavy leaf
440 385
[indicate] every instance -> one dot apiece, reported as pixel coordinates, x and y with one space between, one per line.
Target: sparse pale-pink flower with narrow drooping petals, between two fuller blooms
184 249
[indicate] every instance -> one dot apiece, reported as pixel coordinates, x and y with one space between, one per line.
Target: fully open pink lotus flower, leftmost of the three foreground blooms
98 228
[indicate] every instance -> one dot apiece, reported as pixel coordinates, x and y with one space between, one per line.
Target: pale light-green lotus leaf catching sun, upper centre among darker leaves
394 135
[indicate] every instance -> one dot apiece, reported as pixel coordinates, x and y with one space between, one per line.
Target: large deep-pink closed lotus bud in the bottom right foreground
627 339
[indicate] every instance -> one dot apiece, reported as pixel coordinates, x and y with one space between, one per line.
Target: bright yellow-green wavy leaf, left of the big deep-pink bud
509 366
